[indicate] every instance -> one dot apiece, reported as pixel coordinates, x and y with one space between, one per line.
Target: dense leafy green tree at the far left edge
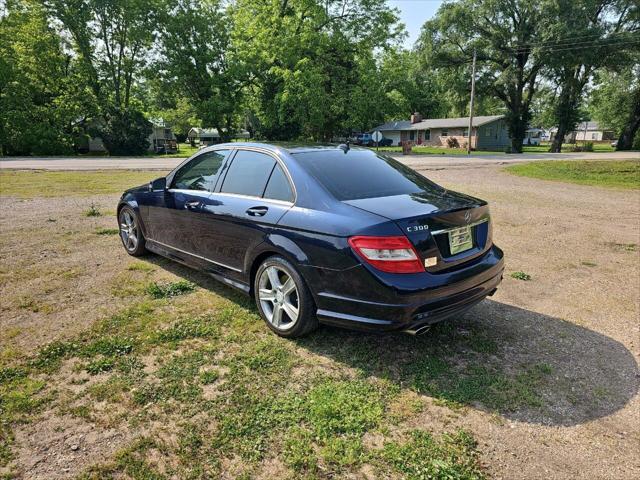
42 94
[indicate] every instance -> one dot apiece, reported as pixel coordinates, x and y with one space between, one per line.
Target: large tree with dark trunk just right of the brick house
505 34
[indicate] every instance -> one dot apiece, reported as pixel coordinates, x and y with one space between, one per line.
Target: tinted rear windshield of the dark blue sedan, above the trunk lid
357 174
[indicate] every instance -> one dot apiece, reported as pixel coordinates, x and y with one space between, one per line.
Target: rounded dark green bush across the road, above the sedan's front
125 132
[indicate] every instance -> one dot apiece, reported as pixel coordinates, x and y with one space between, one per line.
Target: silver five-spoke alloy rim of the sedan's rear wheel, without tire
278 296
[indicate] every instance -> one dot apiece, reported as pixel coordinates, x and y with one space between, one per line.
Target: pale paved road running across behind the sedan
415 161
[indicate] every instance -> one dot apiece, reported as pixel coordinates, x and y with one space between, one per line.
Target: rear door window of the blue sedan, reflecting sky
248 173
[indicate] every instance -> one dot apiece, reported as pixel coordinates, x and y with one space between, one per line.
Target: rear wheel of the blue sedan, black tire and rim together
278 300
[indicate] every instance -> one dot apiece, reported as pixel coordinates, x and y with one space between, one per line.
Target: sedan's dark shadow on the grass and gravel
520 364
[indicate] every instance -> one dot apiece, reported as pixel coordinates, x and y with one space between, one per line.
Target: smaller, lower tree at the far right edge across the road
615 103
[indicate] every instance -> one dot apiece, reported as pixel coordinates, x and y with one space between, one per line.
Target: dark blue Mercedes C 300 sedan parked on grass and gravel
329 234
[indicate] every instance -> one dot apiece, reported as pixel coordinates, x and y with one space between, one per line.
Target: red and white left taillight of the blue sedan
389 254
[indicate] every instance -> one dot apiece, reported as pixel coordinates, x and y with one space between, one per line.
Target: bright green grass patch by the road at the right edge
616 174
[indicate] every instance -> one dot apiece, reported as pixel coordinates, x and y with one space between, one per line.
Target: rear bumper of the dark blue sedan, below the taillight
356 299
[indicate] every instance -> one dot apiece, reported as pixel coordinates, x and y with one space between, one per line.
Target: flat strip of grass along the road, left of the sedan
37 183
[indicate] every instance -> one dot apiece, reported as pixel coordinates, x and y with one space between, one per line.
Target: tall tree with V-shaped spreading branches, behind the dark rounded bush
111 40
